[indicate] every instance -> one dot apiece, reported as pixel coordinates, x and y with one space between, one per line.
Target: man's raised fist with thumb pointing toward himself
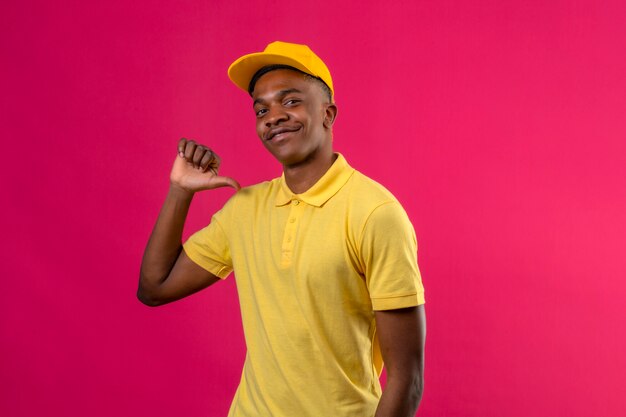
196 169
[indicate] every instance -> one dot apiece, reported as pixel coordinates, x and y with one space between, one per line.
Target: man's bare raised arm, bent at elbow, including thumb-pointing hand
167 274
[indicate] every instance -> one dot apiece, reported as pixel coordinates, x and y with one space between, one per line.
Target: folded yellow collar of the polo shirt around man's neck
326 187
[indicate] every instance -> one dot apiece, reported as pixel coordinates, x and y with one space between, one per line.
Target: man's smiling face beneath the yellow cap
290 116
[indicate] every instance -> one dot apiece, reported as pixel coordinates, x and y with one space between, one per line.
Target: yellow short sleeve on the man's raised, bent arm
209 249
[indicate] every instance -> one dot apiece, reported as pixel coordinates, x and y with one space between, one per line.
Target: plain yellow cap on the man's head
279 53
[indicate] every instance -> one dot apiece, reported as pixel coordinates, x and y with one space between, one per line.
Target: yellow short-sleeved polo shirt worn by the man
311 269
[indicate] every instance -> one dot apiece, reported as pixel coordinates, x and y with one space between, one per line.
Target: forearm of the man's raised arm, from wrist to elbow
165 242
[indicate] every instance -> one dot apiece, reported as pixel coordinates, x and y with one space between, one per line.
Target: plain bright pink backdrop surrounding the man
501 127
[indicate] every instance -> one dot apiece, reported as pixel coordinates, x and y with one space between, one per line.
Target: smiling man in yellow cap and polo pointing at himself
325 258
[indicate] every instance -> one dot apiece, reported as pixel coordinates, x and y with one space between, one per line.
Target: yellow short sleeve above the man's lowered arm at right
389 253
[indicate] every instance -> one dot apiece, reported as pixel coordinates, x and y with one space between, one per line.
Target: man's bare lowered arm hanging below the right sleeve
402 334
